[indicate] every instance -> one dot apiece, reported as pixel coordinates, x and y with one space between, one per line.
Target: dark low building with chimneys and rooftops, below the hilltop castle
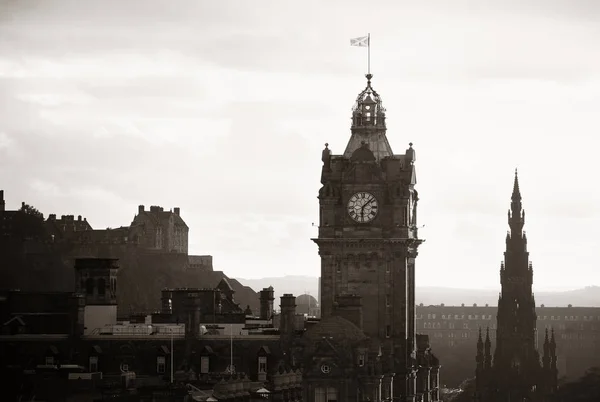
46 339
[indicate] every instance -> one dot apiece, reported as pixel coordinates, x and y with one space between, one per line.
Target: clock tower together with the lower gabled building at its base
365 347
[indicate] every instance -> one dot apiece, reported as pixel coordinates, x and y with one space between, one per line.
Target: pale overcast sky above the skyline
222 108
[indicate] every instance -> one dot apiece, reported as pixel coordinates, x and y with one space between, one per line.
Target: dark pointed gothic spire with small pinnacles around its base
516 373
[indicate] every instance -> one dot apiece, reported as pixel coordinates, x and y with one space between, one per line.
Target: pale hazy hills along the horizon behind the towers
297 285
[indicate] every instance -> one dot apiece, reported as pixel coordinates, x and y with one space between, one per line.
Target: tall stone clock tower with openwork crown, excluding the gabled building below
368 241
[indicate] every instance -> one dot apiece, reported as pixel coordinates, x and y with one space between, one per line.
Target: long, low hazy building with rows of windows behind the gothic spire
454 331
